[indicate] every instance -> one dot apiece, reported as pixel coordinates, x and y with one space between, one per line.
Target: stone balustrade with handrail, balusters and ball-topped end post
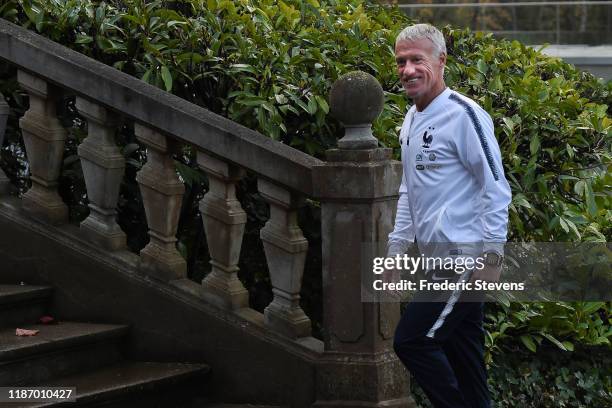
356 186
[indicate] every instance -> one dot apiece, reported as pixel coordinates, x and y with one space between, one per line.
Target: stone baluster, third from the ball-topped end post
162 196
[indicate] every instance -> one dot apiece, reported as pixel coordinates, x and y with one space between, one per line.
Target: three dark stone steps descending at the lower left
87 356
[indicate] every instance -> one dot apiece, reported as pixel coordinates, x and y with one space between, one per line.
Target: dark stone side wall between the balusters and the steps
250 364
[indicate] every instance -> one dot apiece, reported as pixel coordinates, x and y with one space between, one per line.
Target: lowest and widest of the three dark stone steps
132 384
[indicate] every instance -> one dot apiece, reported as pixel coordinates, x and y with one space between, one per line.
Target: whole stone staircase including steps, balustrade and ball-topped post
265 356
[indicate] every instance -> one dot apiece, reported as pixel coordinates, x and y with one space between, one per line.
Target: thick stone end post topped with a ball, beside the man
358 188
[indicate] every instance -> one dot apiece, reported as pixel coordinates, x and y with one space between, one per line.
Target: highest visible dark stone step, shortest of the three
21 304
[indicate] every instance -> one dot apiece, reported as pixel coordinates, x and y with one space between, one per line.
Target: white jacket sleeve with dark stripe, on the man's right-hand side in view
480 154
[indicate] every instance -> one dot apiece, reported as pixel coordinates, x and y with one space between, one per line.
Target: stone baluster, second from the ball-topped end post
224 221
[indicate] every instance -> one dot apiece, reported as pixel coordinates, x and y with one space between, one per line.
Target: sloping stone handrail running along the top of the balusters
144 103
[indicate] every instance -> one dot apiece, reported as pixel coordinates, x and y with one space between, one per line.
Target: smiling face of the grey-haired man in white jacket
420 69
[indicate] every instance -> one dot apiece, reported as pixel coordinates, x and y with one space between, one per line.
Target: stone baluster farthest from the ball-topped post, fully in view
44 138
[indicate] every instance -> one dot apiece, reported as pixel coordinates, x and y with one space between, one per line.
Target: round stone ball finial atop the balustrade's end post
356 99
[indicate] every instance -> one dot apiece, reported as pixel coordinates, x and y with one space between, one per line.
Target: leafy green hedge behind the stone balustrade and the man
270 64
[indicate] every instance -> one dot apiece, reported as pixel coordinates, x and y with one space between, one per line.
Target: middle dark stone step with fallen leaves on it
57 350
